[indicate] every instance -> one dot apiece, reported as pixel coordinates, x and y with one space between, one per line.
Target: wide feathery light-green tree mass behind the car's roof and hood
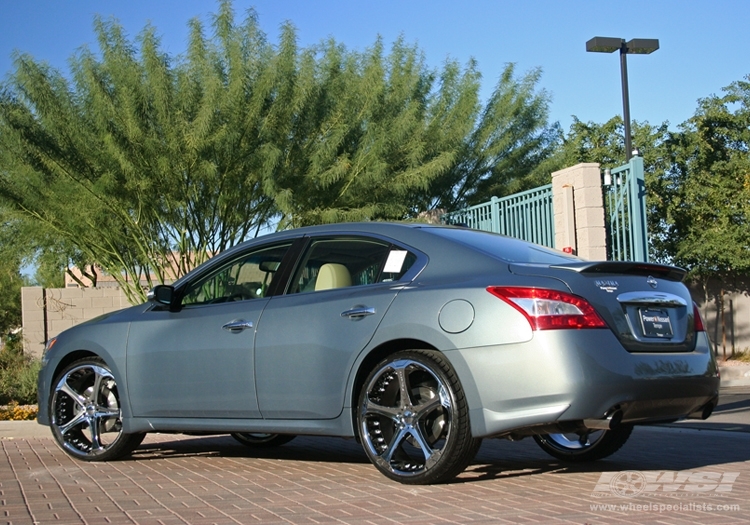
146 164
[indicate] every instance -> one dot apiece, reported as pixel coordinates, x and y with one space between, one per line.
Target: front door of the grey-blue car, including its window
198 361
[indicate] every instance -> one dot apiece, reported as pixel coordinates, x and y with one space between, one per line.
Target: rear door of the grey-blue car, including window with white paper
309 338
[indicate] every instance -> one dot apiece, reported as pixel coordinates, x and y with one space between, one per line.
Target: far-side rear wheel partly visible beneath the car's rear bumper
589 446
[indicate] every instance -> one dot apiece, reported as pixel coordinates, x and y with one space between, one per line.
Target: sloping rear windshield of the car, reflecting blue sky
506 248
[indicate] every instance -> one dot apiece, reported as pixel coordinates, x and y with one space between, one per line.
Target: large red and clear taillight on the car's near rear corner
550 309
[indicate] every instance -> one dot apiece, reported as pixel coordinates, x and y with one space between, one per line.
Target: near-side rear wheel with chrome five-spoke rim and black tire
413 419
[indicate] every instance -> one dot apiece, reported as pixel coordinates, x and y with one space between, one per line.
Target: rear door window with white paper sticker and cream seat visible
338 263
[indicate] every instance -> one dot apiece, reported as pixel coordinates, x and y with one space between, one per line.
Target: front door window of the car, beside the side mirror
247 277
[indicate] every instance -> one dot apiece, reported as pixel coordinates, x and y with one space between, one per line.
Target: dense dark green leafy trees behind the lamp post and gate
697 180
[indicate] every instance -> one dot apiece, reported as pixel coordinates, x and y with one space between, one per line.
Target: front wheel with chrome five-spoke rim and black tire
86 415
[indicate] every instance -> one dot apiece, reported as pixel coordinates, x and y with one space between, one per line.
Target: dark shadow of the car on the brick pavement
647 450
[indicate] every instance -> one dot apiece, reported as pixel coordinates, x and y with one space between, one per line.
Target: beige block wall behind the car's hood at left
47 312
